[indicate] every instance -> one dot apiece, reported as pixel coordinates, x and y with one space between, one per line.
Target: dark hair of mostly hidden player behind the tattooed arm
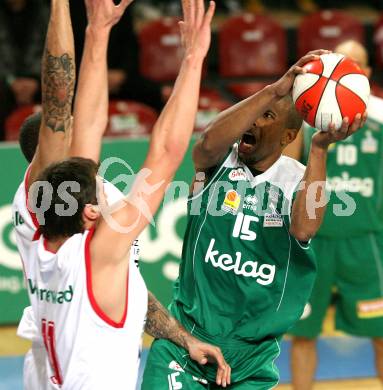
29 135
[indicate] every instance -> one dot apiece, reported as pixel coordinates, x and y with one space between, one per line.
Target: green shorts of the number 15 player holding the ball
170 367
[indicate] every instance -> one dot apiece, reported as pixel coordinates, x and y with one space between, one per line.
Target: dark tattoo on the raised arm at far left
57 90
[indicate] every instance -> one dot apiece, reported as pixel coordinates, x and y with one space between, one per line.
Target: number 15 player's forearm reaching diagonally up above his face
230 124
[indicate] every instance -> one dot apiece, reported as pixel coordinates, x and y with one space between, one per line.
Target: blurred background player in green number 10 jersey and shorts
349 249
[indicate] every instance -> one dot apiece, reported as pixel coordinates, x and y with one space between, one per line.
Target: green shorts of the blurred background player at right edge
354 267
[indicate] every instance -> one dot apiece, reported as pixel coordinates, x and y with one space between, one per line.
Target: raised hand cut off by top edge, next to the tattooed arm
104 14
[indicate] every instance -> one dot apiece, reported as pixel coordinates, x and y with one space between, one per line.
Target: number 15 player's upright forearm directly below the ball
310 204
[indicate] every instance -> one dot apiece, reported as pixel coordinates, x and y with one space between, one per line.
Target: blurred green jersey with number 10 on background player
354 178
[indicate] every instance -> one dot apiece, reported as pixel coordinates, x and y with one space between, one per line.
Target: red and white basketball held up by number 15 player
334 87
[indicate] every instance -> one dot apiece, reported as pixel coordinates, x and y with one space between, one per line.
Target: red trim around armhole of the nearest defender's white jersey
96 308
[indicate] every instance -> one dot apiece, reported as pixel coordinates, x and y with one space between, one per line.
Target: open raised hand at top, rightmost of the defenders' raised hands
196 27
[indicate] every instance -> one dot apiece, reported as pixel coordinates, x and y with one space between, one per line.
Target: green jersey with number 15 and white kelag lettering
243 276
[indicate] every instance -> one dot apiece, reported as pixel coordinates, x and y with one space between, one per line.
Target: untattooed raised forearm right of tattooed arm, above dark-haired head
91 103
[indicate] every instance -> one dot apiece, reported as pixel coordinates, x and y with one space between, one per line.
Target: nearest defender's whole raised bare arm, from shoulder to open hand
169 142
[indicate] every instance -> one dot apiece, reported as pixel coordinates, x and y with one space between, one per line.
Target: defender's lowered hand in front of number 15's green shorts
204 353
